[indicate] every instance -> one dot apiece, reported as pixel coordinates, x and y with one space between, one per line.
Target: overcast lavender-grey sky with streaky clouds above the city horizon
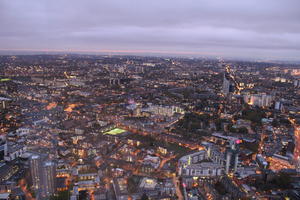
256 29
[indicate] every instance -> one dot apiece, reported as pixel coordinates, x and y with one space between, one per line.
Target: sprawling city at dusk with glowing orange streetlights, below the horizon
130 127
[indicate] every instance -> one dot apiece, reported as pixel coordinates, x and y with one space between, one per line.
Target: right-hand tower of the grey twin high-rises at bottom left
49 178
